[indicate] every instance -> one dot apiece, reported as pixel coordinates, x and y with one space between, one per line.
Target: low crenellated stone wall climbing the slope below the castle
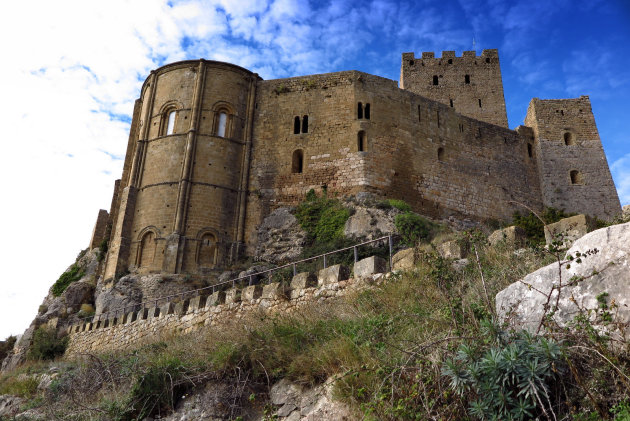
148 325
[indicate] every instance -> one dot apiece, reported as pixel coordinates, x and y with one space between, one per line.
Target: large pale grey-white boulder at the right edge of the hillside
607 271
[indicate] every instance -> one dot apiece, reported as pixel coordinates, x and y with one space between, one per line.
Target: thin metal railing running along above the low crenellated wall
251 278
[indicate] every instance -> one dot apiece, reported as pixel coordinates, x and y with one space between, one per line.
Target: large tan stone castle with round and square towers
213 149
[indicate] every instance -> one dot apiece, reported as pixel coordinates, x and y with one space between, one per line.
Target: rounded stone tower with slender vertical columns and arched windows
181 200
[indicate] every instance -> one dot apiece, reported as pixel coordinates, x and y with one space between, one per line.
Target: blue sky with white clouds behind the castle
73 69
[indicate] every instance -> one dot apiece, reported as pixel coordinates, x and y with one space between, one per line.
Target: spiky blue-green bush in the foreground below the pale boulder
510 379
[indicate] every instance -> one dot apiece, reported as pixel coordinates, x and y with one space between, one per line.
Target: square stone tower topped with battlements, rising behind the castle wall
470 84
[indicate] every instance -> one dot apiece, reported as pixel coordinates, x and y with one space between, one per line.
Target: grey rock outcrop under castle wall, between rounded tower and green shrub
280 237
